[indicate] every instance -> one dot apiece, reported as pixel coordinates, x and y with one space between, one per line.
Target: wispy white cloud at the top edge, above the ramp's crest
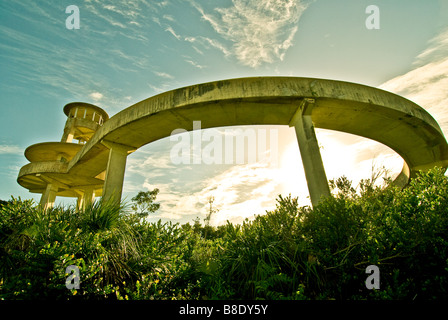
261 31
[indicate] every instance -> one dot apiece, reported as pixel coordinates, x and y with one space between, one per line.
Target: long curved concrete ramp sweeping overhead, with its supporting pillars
304 103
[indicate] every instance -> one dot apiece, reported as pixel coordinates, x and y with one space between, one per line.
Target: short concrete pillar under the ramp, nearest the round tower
116 166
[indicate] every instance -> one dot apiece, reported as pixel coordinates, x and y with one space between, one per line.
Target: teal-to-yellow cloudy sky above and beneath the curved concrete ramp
127 51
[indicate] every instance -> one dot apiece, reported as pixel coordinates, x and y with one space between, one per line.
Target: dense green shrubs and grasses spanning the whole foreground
291 252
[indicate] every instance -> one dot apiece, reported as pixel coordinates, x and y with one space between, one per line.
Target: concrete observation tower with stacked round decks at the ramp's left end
50 159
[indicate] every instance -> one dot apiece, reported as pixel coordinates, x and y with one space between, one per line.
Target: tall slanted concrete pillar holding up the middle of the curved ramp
310 153
